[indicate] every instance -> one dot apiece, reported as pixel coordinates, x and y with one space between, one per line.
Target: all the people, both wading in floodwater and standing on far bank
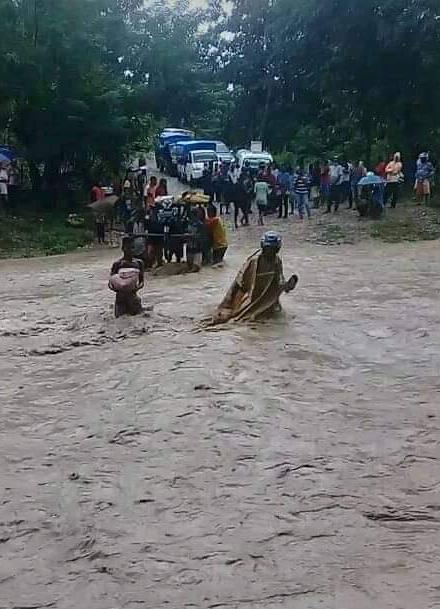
156 232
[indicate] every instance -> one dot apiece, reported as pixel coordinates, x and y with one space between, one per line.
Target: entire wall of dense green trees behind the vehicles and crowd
86 83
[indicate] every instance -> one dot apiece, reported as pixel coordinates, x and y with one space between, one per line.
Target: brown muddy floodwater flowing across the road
287 465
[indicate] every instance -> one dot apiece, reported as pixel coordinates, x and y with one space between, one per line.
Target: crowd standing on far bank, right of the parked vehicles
330 184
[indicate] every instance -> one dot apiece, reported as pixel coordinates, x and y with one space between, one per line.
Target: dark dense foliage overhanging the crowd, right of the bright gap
320 75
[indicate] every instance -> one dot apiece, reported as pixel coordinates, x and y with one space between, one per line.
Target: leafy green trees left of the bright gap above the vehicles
85 83
